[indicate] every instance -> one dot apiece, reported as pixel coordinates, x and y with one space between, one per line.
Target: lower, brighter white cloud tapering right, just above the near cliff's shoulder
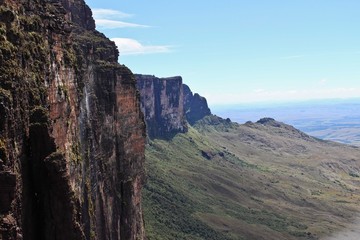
128 46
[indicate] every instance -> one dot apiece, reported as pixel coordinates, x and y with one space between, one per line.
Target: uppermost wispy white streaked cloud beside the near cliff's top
110 19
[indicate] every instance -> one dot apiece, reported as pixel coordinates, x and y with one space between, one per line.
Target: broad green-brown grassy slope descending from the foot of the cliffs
229 181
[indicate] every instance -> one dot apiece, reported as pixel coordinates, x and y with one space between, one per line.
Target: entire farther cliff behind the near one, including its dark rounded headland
168 105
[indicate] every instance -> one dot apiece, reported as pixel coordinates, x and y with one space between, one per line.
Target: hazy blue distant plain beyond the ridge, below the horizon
336 120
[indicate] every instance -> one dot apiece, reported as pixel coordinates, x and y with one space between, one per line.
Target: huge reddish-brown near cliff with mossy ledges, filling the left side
72 134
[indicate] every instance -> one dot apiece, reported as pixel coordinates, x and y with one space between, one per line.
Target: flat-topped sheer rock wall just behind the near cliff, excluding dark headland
162 104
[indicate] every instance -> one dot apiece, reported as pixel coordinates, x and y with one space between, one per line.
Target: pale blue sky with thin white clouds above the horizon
238 51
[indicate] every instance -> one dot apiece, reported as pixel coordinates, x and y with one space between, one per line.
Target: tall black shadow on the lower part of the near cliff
46 189
